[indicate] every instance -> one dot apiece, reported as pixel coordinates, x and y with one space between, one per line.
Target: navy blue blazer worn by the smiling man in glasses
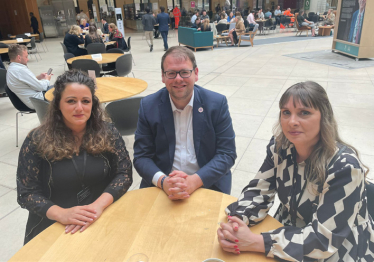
213 133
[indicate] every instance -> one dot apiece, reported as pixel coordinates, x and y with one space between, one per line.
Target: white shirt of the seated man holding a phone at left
24 83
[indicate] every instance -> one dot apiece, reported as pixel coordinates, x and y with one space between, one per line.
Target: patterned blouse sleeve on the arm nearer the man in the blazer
258 196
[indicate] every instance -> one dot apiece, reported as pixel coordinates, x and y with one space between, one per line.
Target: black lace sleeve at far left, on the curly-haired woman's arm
29 180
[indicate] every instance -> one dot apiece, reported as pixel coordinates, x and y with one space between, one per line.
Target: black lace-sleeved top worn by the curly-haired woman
42 183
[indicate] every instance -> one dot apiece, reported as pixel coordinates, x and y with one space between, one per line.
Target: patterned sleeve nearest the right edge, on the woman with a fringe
332 223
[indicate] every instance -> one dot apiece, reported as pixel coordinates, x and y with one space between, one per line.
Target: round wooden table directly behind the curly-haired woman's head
113 88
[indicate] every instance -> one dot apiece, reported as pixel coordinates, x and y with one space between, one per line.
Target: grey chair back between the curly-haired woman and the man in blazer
124 114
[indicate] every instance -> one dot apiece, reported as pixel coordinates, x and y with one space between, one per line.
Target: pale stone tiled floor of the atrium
252 78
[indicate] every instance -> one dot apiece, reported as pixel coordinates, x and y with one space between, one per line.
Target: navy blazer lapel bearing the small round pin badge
198 119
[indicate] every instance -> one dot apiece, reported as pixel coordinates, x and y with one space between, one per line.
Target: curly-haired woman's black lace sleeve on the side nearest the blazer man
121 168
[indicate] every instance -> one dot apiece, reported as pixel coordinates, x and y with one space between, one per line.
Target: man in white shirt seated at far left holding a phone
21 81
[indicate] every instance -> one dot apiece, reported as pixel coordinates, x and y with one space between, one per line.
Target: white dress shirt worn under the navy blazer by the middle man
184 155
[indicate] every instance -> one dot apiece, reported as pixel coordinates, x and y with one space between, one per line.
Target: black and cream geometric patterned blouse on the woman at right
339 228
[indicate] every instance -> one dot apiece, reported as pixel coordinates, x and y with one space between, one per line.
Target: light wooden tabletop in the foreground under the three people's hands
146 221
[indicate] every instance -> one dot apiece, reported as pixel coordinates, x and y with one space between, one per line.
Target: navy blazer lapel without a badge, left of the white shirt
168 123
